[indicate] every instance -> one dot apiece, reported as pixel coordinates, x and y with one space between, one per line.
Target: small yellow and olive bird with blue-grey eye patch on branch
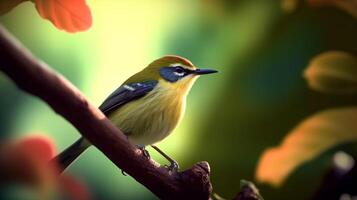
146 107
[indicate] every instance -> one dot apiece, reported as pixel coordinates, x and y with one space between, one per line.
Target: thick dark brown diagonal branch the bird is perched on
36 78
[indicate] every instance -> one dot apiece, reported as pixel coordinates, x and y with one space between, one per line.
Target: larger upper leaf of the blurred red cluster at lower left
26 161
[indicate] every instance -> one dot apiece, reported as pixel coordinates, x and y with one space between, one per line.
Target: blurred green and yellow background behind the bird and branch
260 48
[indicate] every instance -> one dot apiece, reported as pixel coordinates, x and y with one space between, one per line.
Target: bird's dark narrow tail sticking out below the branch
71 153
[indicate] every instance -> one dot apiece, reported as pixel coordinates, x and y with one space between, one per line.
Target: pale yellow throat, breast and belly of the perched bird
153 117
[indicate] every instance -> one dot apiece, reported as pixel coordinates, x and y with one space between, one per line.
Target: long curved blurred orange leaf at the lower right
305 142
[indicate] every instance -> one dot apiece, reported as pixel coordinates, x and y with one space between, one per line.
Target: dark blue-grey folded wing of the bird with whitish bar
125 94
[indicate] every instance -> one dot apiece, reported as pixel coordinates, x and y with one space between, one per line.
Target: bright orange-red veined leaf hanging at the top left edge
68 15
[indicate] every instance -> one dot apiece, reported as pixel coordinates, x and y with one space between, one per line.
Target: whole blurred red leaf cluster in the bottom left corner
27 161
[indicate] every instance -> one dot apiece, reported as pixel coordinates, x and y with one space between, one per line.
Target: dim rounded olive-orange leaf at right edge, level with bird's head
333 72
